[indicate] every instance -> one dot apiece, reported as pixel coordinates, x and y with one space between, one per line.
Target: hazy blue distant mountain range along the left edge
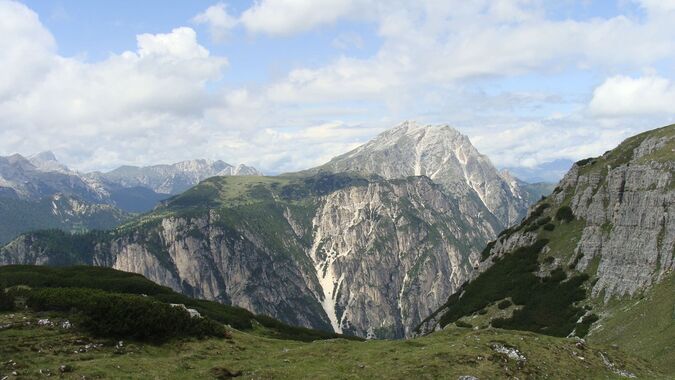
38 192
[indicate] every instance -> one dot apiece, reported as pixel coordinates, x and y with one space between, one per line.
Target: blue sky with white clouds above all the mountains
285 85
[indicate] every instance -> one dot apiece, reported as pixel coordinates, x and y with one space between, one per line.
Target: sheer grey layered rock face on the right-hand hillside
629 209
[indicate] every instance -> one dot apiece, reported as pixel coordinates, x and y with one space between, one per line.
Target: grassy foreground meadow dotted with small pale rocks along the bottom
448 354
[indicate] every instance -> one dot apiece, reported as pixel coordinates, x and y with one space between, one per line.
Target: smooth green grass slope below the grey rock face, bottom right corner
643 325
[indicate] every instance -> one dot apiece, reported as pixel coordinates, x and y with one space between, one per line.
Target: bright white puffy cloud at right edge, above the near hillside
627 96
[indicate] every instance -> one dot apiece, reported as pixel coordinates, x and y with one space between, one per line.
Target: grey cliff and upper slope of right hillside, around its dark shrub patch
611 218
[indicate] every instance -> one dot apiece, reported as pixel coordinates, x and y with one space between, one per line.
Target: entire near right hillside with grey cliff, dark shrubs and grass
595 257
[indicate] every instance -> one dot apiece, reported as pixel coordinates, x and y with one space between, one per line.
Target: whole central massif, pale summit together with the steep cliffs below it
368 244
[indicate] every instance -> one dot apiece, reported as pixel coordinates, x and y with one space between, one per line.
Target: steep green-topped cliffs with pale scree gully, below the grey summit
367 257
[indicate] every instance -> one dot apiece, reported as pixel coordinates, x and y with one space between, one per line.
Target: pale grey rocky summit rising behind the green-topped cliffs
445 156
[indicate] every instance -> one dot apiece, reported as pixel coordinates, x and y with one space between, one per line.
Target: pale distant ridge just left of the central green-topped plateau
175 178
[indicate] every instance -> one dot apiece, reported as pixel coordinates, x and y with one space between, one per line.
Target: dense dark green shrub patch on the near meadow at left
125 316
